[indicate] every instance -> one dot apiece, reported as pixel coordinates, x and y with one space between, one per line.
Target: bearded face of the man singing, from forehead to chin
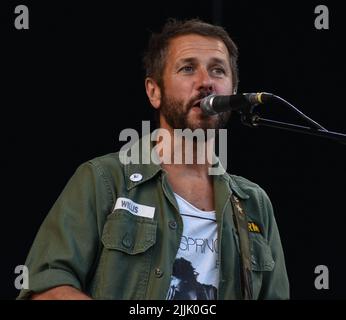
196 67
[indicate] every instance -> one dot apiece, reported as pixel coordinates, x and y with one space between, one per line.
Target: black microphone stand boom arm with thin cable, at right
249 118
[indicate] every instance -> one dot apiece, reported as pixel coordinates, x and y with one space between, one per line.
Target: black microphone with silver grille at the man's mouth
214 104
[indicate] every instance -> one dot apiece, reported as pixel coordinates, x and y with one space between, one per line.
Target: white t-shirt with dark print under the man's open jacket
195 270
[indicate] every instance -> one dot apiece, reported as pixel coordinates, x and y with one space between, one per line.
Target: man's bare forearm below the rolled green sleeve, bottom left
61 293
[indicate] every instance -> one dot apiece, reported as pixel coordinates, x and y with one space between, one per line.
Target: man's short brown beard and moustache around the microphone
176 114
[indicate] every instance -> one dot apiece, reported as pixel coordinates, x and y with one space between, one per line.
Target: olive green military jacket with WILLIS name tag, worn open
108 251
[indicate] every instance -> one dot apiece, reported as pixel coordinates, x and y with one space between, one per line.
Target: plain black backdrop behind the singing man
74 80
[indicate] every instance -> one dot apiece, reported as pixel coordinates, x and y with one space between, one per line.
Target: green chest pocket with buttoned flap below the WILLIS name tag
126 258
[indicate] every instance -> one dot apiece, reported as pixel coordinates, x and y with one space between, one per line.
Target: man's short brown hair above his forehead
155 56
